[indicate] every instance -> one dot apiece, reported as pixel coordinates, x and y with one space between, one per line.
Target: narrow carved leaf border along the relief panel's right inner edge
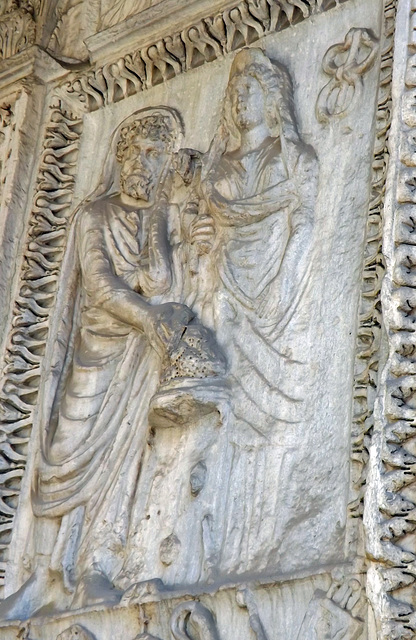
370 317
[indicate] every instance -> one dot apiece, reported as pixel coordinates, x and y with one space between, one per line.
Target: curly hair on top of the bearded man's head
156 127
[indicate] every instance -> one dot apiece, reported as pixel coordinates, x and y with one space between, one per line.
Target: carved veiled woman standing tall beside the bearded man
254 232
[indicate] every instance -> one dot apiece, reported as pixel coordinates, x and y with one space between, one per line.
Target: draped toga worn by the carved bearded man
96 429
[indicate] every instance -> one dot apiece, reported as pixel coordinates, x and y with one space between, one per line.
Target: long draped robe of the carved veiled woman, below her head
258 270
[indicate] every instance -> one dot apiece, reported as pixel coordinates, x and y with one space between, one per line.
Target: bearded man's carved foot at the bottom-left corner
30 598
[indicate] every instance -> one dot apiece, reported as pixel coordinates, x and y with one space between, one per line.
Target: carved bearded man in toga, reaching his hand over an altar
112 336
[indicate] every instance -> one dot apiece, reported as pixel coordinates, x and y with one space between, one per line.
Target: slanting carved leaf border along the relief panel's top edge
199 43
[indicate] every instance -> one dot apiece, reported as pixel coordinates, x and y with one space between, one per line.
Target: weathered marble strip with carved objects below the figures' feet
310 609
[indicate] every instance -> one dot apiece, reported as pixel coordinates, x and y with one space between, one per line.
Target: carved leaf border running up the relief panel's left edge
43 253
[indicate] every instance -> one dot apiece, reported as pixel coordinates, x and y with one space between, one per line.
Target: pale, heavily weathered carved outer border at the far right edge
390 514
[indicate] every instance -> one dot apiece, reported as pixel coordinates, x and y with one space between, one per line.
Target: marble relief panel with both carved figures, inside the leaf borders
195 410
